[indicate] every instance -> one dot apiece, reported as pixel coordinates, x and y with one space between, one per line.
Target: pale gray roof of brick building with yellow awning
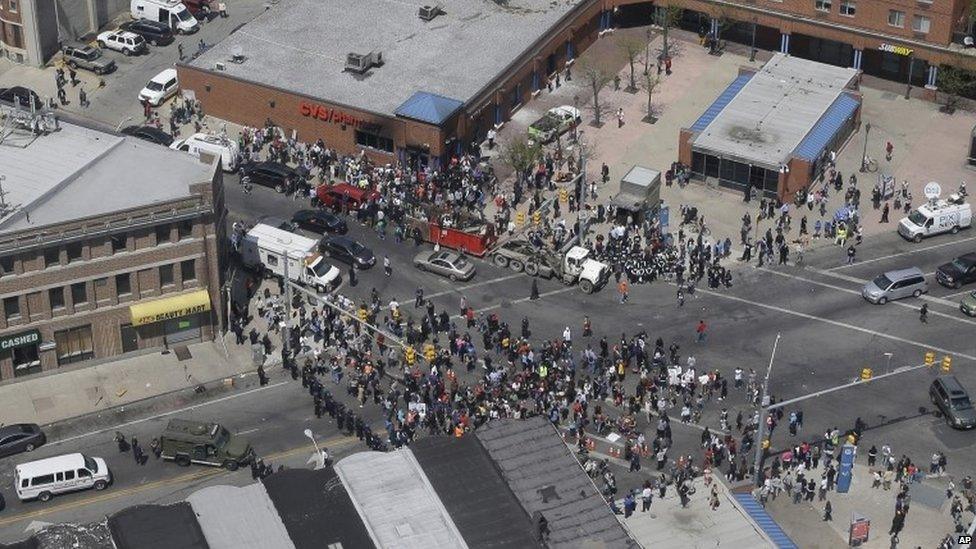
77 172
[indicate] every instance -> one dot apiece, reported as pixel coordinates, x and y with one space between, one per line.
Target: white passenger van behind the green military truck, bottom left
44 478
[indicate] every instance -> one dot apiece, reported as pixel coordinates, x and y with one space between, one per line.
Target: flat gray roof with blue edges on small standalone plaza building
765 122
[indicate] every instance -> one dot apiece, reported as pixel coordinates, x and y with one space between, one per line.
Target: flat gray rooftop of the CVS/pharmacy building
301 45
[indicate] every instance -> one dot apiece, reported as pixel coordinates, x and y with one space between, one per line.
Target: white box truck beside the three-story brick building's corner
266 248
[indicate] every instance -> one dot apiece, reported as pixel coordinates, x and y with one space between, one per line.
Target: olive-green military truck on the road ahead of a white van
187 442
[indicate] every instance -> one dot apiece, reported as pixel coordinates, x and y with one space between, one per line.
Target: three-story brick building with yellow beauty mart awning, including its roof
108 245
